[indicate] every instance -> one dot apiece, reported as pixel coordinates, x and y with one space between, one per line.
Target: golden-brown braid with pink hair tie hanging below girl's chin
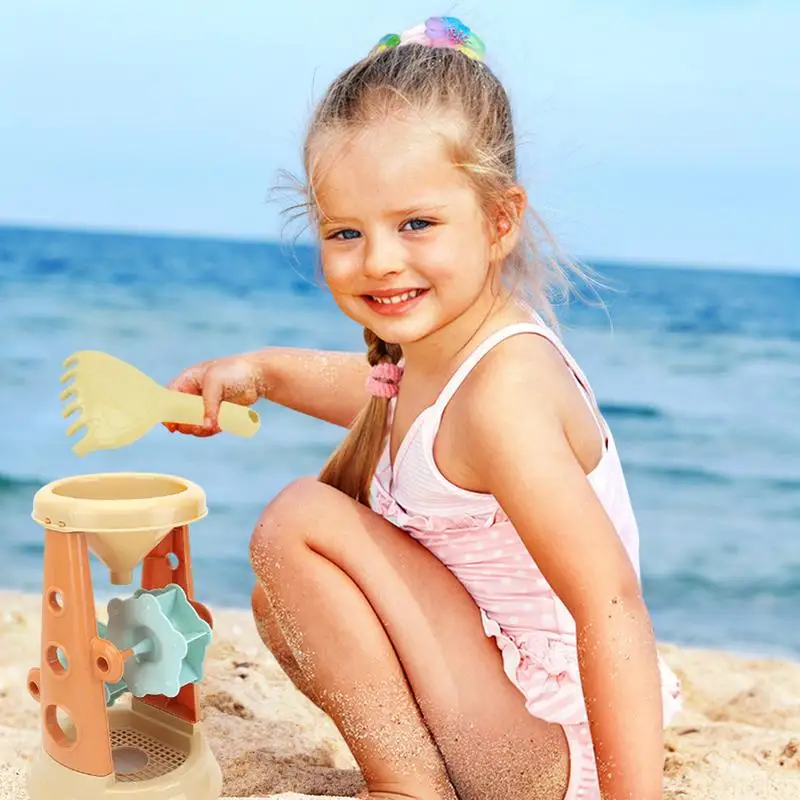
352 466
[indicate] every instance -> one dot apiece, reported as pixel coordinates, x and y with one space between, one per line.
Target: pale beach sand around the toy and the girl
738 737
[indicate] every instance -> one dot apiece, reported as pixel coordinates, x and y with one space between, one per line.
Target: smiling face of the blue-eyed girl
405 246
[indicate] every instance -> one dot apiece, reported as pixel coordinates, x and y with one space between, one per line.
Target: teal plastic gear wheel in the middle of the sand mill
168 637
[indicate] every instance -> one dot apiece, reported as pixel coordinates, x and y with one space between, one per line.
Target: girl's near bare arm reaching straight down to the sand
517 448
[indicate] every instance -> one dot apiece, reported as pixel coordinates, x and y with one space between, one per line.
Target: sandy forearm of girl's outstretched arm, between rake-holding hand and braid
325 384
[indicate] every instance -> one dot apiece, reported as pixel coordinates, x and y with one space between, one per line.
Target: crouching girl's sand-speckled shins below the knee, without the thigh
330 643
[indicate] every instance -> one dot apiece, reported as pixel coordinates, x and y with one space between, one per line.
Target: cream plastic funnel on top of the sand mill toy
124 515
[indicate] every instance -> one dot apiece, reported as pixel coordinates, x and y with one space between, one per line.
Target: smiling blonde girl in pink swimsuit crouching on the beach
459 589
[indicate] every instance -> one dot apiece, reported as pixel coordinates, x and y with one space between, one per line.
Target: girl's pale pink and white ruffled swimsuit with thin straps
469 533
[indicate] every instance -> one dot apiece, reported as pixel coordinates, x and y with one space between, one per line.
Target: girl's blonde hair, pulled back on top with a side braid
425 80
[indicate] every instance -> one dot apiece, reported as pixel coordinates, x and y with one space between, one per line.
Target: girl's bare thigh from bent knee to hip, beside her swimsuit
493 747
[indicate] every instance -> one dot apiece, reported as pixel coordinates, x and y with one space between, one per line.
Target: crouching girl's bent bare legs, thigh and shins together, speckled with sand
388 642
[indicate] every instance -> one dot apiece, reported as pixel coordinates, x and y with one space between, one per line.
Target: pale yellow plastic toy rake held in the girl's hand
118 404
